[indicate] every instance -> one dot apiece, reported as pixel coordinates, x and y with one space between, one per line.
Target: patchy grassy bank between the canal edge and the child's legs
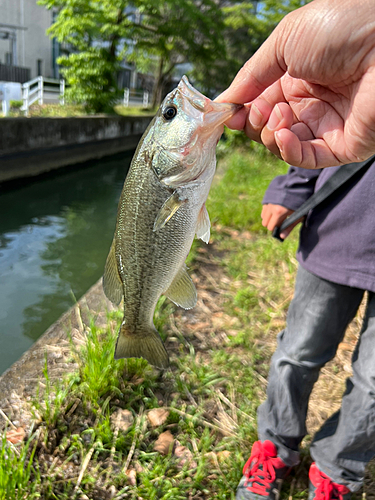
220 354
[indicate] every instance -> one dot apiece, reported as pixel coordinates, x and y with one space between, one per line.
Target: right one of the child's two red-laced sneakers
321 487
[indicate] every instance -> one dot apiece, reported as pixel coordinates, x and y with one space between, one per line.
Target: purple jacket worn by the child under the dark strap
337 239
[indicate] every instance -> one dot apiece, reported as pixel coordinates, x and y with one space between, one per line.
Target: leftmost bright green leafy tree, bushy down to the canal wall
90 32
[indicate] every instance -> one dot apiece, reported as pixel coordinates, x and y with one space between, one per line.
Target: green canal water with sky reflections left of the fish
54 238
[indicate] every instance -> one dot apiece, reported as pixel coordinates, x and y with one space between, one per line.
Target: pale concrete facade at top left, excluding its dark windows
28 22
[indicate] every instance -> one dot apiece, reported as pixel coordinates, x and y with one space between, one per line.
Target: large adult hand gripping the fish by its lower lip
310 87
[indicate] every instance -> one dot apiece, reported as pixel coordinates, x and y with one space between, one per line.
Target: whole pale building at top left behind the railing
26 51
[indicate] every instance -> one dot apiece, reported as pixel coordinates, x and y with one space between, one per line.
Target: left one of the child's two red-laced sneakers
263 473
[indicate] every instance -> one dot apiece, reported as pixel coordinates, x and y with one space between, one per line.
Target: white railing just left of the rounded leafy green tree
42 90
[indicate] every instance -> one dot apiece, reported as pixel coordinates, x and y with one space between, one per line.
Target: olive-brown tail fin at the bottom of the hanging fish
145 343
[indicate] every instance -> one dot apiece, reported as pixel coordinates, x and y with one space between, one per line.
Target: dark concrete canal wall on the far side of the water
32 146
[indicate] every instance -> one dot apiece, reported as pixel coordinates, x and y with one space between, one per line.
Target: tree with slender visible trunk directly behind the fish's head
174 32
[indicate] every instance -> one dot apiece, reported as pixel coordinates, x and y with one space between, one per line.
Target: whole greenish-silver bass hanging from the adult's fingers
161 209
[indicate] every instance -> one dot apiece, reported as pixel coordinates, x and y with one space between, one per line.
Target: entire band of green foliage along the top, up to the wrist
215 39
